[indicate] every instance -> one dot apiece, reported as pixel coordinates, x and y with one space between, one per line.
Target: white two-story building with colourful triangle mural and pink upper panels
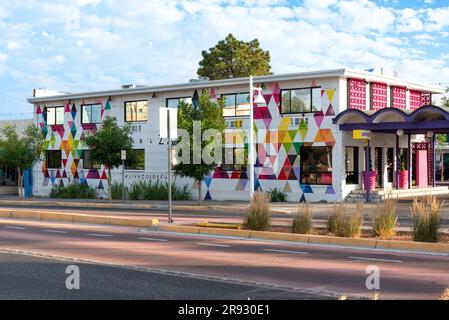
305 134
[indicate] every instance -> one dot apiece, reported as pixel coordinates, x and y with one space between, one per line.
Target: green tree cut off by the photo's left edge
20 151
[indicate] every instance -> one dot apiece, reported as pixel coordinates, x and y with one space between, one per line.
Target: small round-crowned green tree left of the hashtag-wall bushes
106 146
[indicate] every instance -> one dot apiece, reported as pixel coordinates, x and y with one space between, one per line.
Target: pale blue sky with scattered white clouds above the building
85 45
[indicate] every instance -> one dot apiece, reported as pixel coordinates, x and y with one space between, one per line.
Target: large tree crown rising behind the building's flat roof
232 58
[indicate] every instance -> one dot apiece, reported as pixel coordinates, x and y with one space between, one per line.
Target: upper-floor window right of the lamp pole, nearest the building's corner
301 100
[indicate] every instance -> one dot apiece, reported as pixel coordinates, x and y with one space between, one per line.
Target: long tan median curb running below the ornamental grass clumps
315 239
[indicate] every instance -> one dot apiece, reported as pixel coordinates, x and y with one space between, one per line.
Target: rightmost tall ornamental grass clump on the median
426 215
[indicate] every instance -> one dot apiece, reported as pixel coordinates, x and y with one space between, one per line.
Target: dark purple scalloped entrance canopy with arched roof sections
421 120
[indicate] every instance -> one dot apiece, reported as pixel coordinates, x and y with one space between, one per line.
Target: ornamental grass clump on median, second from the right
384 218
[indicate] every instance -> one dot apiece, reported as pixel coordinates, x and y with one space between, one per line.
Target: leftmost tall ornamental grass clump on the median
258 217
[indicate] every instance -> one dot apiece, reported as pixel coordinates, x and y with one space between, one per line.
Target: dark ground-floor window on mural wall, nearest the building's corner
316 165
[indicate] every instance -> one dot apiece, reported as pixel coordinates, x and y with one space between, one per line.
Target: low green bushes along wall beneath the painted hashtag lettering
155 191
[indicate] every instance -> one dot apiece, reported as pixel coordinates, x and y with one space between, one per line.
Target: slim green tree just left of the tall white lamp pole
210 116
